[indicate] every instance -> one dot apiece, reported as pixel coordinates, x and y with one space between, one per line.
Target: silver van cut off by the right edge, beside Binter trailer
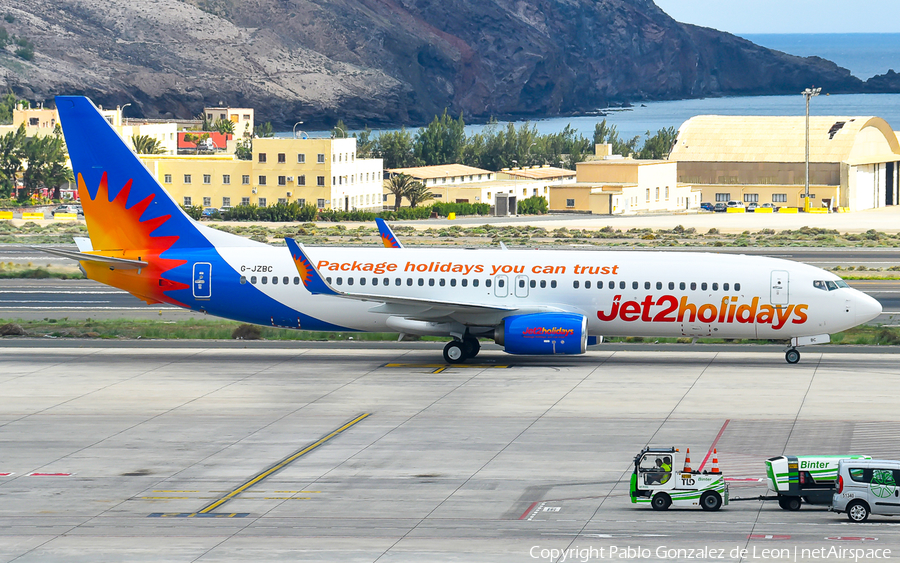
869 486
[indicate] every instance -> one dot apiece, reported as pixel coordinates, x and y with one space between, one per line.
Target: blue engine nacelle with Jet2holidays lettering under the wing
543 333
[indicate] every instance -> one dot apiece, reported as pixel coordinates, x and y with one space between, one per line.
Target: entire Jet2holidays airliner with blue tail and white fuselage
528 301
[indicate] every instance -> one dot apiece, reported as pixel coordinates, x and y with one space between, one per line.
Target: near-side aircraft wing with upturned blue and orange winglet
412 307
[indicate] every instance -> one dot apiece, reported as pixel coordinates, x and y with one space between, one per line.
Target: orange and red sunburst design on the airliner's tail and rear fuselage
117 230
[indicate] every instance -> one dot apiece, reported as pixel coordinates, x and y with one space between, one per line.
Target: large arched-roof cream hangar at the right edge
853 160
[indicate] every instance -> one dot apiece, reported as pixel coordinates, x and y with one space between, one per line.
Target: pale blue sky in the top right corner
787 16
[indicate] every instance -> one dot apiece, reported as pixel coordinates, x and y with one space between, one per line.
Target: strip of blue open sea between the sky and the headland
863 54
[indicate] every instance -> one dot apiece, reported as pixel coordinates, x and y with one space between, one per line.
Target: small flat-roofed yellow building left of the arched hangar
616 185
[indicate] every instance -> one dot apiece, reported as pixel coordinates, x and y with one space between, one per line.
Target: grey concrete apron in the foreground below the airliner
362 453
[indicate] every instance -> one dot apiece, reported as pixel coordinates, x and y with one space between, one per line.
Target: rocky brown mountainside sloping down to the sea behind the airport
387 62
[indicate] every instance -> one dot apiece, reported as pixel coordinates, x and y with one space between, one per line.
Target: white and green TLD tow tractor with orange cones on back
654 482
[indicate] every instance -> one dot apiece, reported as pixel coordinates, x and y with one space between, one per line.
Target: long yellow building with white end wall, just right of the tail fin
322 172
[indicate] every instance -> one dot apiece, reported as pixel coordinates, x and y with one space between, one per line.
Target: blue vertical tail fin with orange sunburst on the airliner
124 206
